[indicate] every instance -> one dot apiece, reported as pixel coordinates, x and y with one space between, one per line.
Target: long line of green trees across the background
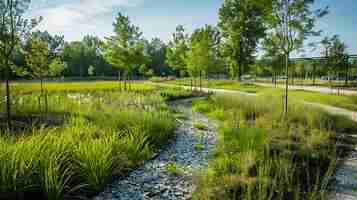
277 27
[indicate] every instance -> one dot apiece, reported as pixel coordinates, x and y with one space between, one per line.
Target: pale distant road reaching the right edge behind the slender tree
325 90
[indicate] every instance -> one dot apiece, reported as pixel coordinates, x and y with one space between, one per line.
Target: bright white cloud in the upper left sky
75 15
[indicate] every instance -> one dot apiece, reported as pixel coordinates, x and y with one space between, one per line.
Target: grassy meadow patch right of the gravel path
263 154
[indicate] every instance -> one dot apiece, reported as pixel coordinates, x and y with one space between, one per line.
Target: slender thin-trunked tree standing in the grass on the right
291 22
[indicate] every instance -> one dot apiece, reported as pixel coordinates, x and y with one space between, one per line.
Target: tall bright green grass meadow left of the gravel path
85 135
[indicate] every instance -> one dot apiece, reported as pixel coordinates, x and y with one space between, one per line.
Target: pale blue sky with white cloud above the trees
158 18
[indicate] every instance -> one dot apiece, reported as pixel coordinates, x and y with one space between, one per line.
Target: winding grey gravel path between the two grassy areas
158 178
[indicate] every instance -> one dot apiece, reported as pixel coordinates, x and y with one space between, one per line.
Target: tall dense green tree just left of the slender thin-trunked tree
242 23
